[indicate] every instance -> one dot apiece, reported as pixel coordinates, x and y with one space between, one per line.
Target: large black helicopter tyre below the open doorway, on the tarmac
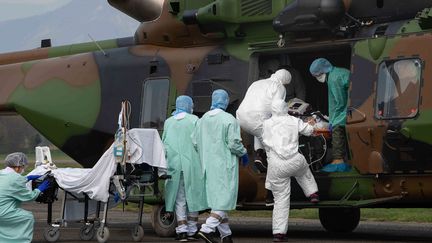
340 220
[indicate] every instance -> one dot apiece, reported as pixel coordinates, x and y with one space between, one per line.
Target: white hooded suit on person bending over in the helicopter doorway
255 107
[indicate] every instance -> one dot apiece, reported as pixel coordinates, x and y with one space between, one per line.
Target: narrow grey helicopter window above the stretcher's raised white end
154 103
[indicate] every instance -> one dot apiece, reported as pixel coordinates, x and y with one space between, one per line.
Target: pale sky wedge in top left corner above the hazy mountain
15 9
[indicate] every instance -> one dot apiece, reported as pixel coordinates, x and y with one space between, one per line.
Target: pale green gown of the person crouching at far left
16 224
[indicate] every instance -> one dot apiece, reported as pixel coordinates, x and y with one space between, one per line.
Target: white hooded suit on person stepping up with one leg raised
280 136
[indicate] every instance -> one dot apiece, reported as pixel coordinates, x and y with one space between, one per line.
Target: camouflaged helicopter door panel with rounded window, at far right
386 124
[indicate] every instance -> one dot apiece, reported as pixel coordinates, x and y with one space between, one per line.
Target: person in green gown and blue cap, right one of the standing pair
217 137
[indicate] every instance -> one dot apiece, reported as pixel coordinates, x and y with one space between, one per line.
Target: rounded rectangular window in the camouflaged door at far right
398 89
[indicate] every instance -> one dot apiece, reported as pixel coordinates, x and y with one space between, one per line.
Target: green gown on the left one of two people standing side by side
182 157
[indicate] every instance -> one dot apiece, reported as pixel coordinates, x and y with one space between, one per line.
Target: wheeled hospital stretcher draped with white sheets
108 183
